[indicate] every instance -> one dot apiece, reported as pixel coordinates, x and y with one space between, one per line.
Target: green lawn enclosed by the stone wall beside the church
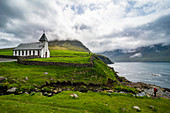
80 60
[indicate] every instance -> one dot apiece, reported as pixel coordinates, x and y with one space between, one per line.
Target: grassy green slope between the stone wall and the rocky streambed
16 73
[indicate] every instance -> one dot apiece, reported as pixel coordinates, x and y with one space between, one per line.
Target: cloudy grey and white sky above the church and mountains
101 25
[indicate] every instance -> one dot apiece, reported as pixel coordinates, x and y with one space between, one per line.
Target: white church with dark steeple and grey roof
39 49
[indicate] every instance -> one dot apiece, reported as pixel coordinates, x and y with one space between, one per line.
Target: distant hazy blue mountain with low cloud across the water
157 52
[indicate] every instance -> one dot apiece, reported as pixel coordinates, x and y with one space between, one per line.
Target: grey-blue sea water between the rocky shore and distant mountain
157 73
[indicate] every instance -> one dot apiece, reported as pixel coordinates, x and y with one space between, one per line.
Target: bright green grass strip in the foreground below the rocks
87 102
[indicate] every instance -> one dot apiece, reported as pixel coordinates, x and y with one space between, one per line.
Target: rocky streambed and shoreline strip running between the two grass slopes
50 87
